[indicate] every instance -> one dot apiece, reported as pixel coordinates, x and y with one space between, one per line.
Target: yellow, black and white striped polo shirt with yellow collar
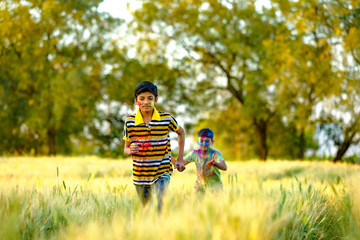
154 158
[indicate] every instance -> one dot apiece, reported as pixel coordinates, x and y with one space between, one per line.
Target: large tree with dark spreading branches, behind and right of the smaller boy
226 41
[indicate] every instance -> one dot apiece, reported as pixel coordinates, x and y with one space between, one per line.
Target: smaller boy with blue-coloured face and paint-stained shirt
208 162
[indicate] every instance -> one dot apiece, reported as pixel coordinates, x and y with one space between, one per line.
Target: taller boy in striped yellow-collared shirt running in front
147 140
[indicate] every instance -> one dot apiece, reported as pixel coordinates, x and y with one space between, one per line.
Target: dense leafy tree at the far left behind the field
52 57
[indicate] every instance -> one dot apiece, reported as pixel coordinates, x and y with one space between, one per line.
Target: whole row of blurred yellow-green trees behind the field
263 78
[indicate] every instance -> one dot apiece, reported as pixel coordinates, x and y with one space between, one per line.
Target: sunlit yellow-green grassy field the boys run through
92 198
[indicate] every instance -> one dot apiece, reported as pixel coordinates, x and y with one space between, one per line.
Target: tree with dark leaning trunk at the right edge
342 109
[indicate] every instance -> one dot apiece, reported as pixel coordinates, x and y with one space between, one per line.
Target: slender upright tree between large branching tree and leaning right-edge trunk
314 67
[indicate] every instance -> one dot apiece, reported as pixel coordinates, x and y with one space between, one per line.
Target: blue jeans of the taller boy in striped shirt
144 191
